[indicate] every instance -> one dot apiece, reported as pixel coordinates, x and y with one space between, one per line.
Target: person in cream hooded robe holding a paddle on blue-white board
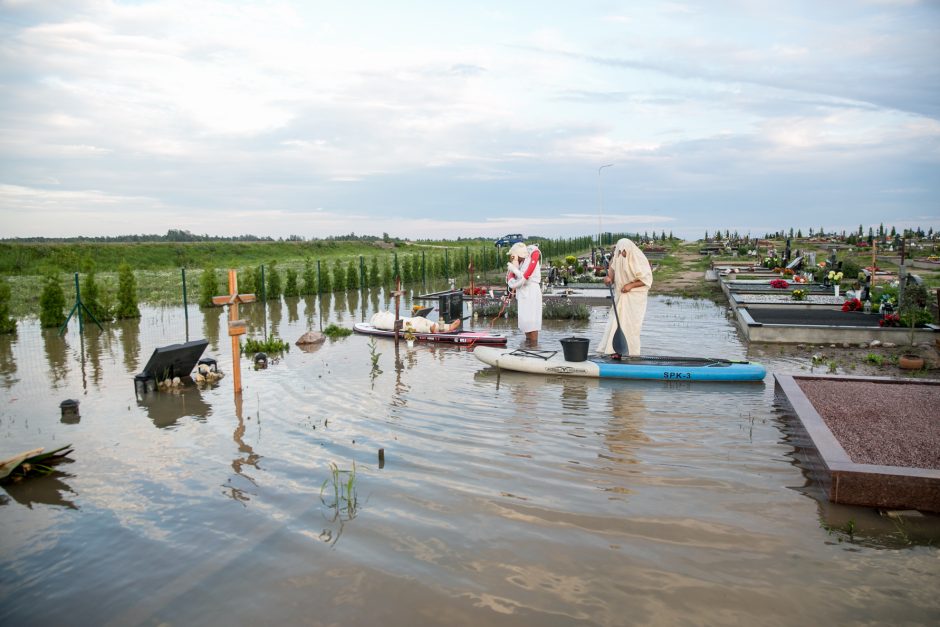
632 277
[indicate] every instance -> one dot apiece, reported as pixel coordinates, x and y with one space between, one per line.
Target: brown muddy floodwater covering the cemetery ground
503 500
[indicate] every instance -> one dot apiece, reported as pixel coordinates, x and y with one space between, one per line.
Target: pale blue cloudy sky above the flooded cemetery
445 119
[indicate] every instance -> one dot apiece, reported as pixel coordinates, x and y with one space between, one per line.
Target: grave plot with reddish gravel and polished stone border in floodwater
869 441
